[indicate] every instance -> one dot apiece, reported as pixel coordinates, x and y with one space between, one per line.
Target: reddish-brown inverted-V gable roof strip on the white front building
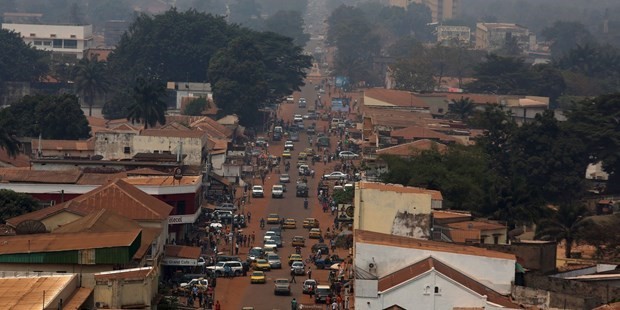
431 263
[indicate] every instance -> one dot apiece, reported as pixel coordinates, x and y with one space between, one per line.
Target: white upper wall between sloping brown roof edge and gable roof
497 273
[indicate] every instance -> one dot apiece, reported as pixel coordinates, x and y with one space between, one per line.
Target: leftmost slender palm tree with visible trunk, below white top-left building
90 80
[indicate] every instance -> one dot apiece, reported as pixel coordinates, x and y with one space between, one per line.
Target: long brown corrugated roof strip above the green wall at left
48 242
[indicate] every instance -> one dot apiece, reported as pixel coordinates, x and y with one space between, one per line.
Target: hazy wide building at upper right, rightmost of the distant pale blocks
493 36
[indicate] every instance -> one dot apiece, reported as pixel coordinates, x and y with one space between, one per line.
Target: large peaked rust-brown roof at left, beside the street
118 196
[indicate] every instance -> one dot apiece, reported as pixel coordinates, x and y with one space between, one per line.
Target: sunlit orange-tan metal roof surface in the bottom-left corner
26 293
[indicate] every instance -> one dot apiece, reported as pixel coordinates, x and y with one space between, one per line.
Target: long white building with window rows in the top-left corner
66 40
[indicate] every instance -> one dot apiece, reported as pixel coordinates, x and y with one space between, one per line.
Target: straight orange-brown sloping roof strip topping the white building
369 237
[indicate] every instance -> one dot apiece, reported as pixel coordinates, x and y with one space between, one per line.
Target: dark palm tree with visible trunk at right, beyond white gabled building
564 225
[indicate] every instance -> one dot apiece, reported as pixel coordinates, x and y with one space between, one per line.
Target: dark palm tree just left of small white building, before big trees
148 106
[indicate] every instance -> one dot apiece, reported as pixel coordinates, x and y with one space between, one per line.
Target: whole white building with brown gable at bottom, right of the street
394 272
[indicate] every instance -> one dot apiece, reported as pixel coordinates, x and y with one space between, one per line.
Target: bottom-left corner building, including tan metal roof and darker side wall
43 291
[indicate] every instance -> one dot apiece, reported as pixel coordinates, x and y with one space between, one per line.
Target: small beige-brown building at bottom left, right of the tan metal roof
129 288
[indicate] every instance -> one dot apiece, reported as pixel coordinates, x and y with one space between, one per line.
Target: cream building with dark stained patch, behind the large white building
394 209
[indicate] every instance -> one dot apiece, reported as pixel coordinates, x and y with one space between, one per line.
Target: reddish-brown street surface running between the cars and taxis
237 293
